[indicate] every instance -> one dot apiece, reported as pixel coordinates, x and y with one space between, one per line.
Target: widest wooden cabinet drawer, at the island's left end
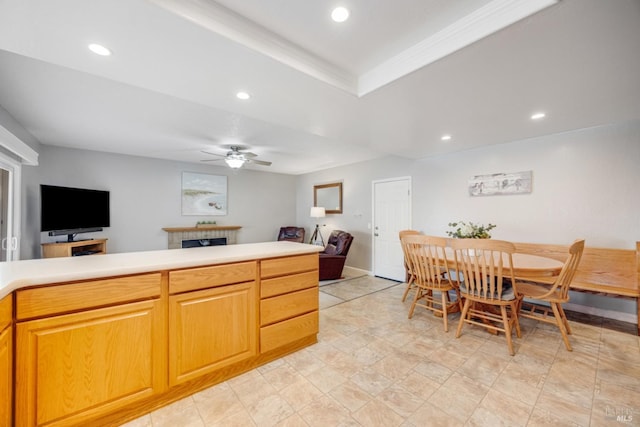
56 299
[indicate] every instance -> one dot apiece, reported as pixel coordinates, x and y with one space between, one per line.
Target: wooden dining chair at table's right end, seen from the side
554 294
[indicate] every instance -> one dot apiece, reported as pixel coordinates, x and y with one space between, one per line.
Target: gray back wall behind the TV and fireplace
145 197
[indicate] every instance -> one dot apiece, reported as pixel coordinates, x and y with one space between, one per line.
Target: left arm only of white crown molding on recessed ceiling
235 27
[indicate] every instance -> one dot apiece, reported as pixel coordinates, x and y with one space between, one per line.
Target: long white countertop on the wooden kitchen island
19 274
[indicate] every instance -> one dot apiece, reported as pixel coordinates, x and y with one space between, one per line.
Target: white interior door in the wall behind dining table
391 213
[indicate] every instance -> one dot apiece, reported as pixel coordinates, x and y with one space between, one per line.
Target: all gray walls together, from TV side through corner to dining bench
584 185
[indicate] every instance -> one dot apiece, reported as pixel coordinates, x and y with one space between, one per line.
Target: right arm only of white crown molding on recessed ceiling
484 21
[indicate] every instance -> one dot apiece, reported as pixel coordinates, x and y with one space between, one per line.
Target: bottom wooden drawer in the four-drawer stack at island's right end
282 333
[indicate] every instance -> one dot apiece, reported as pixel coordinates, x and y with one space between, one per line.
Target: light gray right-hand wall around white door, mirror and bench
585 185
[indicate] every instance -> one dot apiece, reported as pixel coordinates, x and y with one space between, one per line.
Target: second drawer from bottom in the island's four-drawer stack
286 306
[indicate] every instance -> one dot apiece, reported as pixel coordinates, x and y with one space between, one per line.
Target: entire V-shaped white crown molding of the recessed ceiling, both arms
484 21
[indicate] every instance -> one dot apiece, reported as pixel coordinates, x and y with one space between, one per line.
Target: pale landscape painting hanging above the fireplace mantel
204 194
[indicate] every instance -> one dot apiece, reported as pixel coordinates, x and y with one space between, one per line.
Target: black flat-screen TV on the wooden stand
70 210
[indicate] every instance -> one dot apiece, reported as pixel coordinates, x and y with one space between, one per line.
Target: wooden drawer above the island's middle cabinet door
207 277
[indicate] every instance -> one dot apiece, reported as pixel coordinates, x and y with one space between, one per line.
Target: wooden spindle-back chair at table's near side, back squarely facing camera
485 271
